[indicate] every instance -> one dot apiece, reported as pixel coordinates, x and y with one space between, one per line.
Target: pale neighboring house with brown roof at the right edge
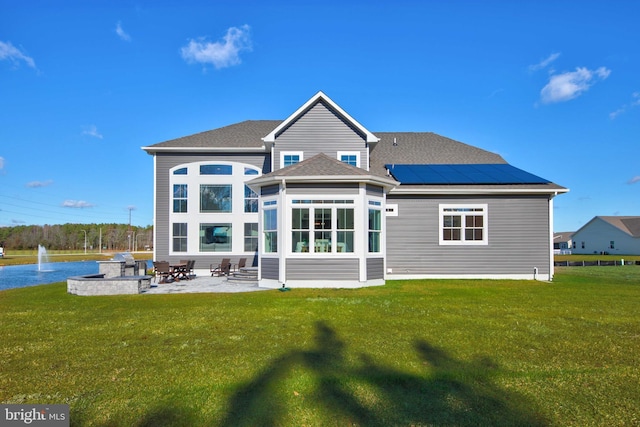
608 234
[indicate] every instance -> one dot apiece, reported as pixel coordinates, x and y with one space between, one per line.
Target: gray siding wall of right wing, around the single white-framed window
518 237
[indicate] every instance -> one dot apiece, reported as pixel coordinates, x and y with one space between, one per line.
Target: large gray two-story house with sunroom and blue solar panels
318 200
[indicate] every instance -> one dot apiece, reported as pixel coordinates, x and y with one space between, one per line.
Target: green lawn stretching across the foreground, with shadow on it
440 352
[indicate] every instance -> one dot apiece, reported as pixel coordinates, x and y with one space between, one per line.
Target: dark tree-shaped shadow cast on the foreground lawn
449 392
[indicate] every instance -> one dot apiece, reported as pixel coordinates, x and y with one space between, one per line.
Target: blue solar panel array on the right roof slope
463 174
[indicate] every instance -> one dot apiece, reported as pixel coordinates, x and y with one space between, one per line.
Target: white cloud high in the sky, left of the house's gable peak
220 54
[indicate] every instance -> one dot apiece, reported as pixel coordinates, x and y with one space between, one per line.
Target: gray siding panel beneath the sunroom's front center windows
322 269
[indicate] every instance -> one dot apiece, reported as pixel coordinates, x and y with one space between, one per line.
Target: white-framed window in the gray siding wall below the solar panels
463 224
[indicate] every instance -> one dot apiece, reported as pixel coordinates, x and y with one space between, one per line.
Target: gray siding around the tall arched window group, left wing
164 162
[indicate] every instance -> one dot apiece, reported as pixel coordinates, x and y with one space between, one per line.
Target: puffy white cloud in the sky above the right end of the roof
570 85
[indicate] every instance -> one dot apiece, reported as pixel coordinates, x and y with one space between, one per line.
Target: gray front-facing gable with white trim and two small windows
320 126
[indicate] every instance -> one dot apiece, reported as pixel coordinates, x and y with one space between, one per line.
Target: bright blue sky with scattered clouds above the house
552 86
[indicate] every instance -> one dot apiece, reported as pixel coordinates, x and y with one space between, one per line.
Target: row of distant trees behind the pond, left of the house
116 237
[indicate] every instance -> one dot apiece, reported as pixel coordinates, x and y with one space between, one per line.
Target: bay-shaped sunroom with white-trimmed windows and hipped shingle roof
322 225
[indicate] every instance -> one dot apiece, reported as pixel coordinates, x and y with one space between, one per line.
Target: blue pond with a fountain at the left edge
18 276
